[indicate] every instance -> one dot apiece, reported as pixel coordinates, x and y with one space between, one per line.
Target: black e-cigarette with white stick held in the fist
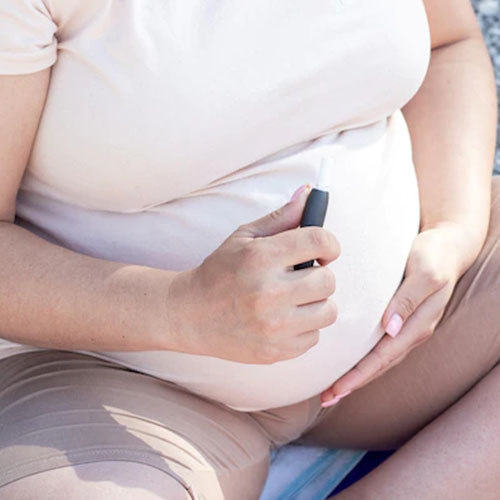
317 203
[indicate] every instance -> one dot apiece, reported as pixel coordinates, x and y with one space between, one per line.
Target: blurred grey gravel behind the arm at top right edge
488 13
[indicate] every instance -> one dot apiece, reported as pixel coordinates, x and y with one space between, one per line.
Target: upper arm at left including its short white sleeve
28 47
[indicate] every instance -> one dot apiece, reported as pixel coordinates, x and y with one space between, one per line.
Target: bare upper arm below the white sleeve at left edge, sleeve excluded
21 103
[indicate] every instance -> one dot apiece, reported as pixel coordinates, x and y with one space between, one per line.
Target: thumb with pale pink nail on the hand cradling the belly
410 294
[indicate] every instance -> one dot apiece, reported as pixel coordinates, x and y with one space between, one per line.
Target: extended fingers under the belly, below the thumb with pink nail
391 351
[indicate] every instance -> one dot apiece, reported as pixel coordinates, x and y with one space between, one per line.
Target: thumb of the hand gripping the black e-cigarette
287 216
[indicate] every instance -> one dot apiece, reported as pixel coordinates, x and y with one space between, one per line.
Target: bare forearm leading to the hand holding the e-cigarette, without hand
53 297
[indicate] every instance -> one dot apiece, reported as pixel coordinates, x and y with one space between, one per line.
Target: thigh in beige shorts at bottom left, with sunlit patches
60 410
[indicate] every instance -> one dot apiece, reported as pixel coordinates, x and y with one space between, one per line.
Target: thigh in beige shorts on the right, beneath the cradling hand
465 346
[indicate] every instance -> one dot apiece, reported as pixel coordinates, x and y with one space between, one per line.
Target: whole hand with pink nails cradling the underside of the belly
437 259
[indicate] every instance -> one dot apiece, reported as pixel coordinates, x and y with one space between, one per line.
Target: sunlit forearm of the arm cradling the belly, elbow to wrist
452 121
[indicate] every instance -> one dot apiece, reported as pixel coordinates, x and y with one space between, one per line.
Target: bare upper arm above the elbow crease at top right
451 21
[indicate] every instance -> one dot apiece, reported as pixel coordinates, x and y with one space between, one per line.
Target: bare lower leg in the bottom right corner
456 456
